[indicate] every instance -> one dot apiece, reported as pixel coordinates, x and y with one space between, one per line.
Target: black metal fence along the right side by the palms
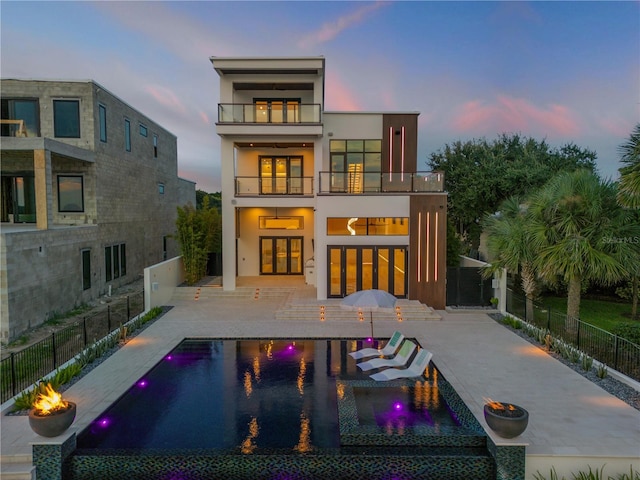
612 350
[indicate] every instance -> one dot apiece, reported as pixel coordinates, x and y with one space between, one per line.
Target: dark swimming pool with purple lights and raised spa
280 409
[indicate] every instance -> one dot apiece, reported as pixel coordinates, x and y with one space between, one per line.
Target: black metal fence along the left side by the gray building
21 369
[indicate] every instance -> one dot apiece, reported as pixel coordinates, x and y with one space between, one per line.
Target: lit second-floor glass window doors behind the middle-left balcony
281 175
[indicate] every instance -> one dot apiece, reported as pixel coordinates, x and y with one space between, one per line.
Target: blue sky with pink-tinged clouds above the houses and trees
560 71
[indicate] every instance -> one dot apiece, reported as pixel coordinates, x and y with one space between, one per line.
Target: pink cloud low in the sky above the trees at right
508 114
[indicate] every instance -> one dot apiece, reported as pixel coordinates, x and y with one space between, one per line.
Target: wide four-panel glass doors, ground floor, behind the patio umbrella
354 268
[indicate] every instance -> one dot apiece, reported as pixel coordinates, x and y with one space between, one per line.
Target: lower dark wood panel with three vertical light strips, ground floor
428 249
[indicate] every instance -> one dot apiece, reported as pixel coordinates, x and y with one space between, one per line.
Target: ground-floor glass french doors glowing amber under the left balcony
281 255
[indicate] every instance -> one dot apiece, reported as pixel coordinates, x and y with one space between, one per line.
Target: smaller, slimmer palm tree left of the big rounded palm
510 247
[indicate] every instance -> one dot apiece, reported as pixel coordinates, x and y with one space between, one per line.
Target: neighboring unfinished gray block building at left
89 193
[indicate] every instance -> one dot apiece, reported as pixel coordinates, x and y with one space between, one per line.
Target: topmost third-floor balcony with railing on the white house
269 118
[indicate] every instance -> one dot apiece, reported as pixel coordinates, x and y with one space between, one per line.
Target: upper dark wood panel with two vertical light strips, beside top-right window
392 140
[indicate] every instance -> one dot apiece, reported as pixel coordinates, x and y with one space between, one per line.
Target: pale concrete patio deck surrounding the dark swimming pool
573 423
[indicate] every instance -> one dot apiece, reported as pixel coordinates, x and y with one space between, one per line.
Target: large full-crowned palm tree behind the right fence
575 224
